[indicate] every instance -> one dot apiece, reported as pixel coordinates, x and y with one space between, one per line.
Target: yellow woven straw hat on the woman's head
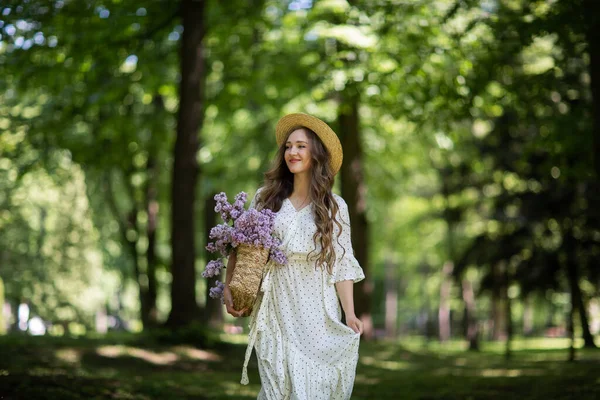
292 122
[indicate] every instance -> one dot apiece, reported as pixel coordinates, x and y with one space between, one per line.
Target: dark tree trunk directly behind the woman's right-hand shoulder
354 192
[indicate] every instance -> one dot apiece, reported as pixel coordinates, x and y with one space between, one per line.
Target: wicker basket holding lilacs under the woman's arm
247 275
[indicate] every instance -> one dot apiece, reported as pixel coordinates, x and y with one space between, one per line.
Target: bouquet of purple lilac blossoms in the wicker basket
250 229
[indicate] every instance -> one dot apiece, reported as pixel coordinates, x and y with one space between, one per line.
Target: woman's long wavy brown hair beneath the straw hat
279 184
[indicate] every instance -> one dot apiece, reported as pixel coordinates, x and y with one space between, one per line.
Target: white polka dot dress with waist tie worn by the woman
304 351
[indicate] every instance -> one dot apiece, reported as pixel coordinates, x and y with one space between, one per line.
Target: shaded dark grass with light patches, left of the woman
62 368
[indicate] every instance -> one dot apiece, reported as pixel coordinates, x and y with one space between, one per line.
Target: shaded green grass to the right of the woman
388 370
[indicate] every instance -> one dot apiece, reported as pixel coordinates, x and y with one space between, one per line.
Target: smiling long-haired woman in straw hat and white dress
304 351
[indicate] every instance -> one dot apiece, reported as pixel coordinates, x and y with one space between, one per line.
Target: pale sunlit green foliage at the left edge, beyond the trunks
51 255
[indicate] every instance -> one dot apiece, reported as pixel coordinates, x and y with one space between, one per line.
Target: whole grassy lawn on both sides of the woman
125 367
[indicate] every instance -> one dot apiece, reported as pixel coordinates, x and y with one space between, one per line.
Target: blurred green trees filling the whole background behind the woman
470 131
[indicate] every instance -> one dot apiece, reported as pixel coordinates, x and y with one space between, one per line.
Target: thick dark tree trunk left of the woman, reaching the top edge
185 167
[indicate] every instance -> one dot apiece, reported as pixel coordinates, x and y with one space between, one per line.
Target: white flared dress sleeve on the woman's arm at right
346 266
